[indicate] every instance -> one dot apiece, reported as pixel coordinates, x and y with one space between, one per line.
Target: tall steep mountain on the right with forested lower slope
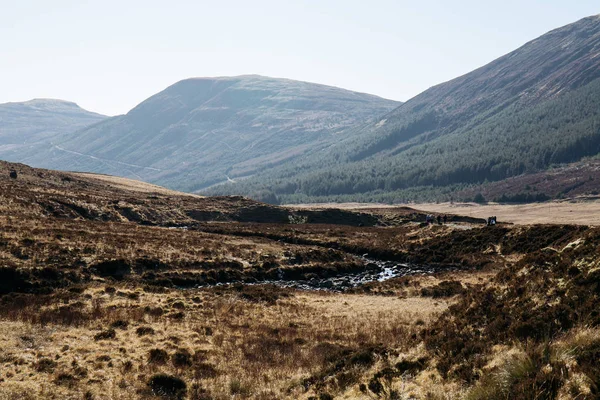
534 107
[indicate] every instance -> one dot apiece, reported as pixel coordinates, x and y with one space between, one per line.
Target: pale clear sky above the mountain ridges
108 56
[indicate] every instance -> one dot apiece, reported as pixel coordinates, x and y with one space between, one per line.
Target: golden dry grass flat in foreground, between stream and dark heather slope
222 343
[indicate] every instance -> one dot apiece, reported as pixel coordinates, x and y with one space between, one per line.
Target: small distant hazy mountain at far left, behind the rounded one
22 124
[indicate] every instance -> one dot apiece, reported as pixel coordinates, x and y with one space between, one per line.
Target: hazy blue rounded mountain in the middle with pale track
203 131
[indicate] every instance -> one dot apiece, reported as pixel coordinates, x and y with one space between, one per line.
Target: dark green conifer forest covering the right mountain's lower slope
510 142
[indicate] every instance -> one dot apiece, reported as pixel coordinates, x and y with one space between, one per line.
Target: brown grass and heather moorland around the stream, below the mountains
111 292
